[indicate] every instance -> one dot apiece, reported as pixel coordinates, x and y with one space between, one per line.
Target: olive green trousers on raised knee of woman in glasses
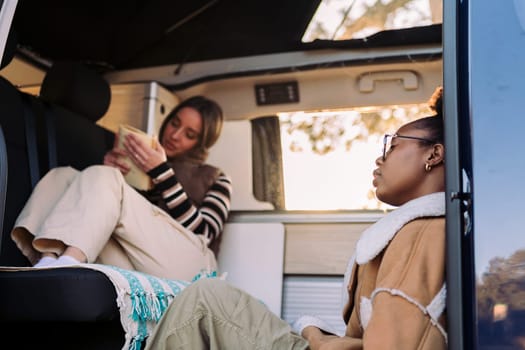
211 314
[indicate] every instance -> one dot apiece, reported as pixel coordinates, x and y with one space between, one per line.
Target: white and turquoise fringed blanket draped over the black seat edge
142 299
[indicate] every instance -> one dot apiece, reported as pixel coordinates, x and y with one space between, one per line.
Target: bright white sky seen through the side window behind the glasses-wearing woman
340 179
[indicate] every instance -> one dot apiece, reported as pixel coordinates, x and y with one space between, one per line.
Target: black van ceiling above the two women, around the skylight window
125 34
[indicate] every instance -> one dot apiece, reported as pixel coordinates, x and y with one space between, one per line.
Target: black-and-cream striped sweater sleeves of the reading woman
207 219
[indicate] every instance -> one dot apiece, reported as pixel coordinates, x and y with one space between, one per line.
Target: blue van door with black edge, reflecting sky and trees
484 87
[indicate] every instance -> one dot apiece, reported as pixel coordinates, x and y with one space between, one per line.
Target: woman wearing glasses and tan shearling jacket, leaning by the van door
395 281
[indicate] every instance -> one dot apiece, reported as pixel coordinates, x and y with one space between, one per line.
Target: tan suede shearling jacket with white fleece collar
396 287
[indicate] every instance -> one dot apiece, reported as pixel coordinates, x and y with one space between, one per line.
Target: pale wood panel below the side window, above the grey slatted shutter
320 249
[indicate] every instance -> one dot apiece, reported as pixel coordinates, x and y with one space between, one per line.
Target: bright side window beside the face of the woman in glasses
329 156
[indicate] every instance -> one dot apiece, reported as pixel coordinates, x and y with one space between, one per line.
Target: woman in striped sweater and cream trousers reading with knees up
94 215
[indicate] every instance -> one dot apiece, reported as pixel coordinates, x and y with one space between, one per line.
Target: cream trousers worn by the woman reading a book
96 211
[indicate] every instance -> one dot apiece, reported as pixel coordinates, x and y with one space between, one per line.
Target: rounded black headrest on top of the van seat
76 88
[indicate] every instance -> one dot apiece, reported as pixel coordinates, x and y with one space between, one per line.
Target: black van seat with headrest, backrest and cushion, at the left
69 308
